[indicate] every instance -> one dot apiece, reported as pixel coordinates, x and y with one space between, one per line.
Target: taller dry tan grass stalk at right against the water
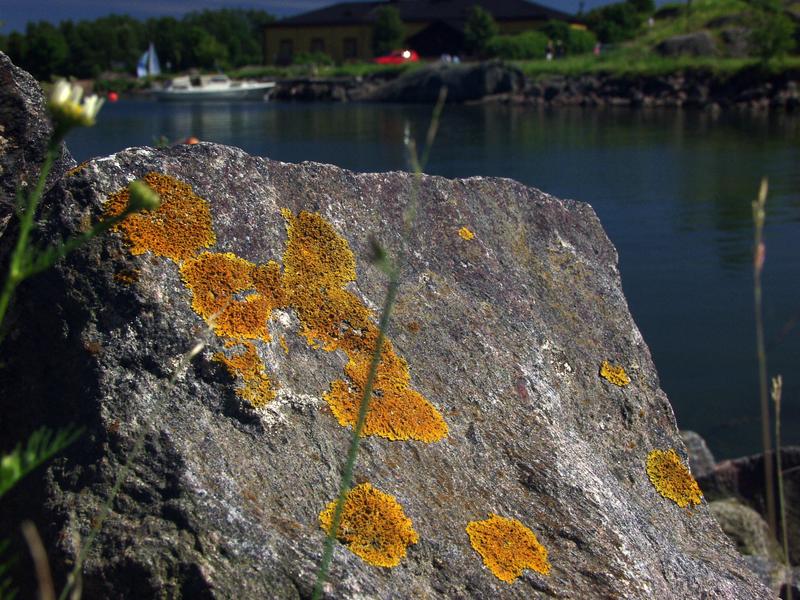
766 435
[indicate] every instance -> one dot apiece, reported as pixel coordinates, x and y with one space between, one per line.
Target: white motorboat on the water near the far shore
213 87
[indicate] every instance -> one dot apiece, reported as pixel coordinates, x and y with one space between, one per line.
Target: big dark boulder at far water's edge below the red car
464 82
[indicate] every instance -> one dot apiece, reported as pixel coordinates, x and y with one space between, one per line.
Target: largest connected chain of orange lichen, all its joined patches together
236 297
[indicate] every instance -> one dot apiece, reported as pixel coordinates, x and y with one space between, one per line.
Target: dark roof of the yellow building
424 10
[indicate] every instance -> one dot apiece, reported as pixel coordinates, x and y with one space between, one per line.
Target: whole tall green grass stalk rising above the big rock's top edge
391 294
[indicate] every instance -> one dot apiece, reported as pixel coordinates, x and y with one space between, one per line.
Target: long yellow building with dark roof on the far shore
433 27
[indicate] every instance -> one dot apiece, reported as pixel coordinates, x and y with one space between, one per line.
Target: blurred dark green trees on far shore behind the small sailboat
225 38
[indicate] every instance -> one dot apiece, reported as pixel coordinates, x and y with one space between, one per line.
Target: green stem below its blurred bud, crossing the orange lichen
347 474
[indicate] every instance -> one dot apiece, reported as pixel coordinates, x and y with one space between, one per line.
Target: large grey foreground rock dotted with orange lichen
520 444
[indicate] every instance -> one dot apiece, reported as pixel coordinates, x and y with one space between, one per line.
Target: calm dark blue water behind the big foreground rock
673 190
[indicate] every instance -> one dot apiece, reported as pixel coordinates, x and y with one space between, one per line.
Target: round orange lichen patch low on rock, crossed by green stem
373 526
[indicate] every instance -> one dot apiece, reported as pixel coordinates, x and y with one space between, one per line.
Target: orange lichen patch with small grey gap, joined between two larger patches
233 294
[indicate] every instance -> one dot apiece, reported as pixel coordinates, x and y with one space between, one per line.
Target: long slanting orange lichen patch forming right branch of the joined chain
318 263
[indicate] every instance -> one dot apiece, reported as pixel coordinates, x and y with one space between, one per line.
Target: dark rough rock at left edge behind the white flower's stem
24 133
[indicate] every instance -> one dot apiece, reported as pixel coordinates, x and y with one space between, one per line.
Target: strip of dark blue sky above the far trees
16 13
